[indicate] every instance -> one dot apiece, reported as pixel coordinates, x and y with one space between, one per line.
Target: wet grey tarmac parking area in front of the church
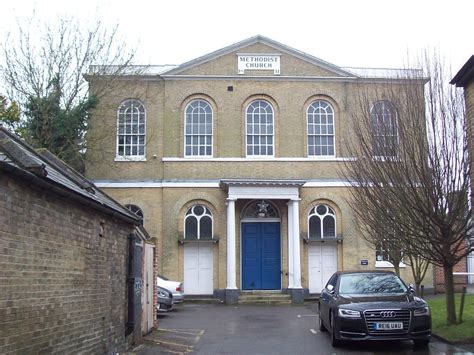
247 329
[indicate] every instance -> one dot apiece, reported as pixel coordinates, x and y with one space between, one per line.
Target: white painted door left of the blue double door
198 269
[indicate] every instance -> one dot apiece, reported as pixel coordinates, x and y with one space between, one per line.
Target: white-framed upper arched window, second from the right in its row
321 126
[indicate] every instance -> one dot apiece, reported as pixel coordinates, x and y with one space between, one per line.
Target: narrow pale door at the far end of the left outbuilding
147 290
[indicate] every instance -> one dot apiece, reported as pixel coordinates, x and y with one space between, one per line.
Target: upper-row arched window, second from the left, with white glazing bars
198 129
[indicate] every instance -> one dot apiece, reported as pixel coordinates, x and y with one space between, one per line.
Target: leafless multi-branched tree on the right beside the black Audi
411 167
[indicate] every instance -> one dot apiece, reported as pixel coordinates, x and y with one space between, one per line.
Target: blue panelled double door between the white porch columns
261 256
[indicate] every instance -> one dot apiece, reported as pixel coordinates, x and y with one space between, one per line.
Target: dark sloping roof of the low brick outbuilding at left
17 155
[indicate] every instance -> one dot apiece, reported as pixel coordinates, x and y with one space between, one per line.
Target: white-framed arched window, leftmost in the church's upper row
121 111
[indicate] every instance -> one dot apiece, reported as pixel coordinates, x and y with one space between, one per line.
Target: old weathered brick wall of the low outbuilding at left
62 276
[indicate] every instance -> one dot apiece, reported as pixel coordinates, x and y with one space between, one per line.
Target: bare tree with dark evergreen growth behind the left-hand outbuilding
43 69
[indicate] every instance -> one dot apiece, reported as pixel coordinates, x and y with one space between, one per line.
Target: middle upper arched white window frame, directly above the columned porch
257 116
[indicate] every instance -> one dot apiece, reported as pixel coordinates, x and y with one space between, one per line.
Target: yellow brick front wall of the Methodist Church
165 101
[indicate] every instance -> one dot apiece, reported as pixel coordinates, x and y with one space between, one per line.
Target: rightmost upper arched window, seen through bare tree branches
380 137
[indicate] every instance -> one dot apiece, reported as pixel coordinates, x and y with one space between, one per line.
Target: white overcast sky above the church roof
360 33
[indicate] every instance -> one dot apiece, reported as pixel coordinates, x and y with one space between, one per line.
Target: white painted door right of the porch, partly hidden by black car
322 263
